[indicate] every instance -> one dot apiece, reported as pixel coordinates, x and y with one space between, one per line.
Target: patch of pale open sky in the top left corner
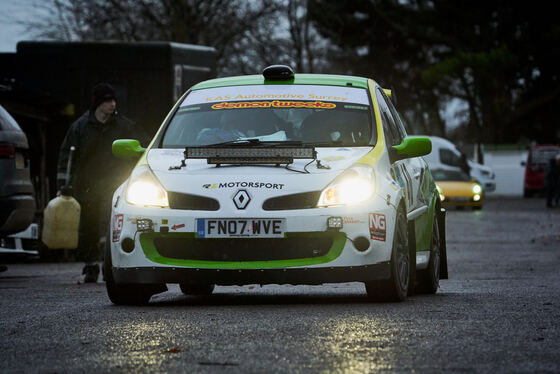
11 31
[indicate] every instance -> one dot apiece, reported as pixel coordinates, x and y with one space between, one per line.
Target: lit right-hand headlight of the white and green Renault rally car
353 186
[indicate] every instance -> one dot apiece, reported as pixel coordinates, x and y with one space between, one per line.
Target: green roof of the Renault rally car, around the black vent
315 79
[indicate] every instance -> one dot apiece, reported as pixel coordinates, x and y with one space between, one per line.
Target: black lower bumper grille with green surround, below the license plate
265 249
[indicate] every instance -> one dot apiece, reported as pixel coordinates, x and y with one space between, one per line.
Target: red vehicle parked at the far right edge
538 158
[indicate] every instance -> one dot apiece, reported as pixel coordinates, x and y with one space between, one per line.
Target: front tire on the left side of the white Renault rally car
127 294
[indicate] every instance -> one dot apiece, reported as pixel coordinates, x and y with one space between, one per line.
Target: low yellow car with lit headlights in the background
458 189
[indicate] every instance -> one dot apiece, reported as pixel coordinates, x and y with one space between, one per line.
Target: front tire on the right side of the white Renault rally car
396 287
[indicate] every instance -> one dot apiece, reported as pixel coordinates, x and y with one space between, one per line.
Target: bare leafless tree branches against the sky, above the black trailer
246 35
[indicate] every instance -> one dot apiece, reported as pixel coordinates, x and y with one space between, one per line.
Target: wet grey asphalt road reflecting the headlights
498 312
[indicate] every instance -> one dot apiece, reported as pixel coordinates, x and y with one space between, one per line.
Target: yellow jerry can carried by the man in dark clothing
61 221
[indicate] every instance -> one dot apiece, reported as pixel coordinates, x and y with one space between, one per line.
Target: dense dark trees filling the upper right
497 57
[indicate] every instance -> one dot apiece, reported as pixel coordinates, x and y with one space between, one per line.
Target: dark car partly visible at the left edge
17 203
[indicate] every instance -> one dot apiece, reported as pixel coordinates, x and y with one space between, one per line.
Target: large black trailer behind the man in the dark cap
47 85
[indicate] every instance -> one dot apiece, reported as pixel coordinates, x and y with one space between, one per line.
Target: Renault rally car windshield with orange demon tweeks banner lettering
321 115
